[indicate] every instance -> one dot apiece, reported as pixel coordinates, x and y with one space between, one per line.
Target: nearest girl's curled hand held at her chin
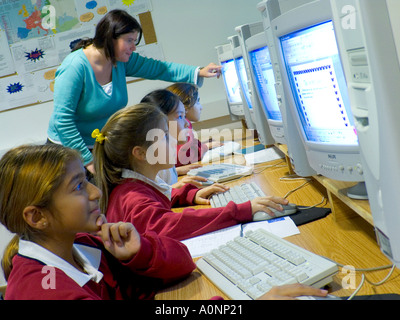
121 239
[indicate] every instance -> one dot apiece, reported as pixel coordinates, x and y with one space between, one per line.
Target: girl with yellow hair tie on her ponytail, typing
127 175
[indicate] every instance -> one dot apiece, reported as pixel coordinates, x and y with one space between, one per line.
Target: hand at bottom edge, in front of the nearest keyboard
290 292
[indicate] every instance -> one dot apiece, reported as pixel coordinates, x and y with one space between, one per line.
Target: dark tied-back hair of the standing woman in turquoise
114 24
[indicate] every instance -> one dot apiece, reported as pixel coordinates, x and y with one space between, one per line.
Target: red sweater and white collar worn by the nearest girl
39 274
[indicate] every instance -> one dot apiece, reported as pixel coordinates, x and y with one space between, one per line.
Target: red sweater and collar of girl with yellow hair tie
148 206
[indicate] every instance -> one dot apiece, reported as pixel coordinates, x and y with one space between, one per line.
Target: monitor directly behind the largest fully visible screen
264 83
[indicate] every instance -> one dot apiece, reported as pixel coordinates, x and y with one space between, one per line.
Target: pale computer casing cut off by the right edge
368 33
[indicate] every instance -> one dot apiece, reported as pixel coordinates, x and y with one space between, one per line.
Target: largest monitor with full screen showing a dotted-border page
314 79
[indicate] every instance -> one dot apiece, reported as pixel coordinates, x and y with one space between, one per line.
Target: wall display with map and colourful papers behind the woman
35 37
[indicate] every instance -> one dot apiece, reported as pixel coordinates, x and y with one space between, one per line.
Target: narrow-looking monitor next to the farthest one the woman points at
242 76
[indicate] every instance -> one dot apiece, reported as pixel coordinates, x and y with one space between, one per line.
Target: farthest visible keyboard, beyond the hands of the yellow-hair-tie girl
221 172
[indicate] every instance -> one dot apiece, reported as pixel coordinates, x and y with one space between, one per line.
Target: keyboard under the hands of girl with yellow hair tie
245 192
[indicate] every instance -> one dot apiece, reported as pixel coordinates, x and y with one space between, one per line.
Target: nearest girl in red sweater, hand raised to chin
46 200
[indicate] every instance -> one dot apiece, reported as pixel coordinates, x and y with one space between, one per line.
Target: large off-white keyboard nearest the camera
247 267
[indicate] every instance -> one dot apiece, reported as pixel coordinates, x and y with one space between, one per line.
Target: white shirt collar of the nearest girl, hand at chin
89 258
